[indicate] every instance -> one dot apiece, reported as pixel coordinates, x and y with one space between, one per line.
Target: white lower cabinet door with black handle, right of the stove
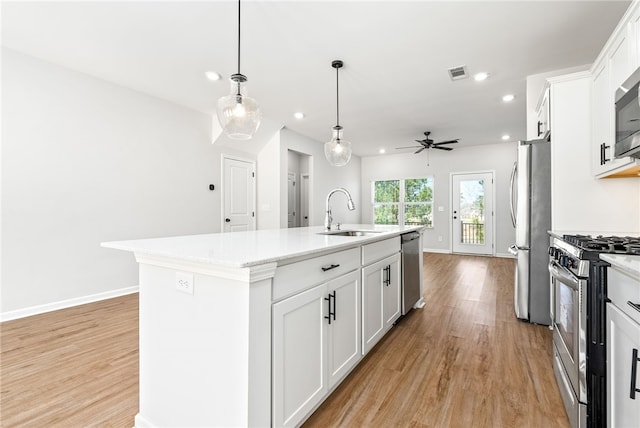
623 337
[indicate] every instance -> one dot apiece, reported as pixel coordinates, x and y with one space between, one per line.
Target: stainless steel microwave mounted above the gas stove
628 118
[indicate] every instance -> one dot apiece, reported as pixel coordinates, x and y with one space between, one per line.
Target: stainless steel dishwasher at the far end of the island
411 270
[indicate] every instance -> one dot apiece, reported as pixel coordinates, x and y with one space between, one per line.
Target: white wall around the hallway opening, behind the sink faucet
323 178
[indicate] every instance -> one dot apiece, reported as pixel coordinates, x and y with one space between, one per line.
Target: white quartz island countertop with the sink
245 249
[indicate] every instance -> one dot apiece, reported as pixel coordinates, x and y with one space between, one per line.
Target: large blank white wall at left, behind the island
86 161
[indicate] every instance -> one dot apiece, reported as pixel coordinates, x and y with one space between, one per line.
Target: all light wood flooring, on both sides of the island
463 360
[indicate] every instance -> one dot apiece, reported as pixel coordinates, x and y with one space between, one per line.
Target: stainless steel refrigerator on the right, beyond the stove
531 217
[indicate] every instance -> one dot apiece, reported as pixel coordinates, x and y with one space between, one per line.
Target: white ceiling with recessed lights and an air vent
394 84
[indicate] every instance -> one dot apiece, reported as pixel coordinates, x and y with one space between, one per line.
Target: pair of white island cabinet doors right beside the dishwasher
380 299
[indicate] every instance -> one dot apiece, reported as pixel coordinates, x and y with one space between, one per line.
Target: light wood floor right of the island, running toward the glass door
463 360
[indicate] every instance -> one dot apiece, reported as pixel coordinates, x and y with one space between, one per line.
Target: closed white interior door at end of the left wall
238 211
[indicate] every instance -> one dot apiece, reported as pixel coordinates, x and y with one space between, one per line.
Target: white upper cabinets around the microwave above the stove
615 65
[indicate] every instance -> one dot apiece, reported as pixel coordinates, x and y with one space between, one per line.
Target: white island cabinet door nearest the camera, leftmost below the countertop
299 349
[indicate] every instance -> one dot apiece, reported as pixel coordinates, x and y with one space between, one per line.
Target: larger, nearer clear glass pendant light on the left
239 115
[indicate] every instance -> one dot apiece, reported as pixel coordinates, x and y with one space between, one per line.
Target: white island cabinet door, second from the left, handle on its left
344 346
